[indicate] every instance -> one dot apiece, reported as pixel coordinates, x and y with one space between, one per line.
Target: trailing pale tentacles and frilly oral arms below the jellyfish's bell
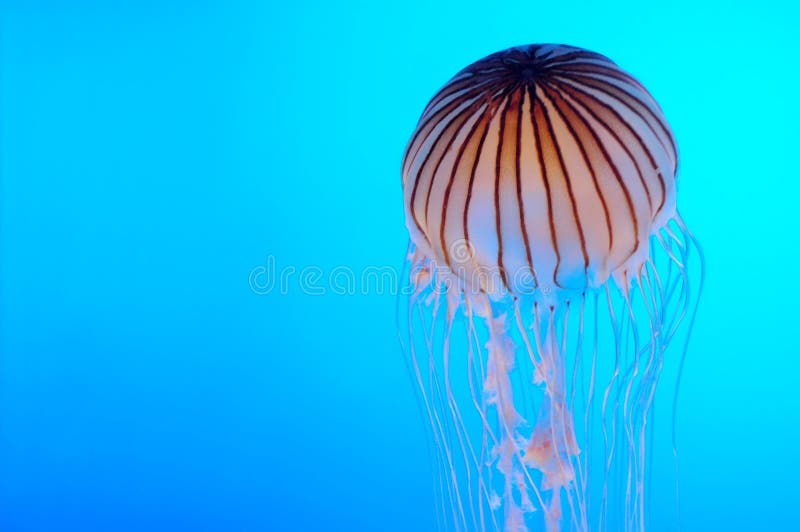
541 409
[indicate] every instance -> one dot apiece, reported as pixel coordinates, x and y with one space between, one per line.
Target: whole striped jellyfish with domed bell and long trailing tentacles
548 277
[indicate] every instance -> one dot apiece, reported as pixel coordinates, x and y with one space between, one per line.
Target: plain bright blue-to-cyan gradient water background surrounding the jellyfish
152 154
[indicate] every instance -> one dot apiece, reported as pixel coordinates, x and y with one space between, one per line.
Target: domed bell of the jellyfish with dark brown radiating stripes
548 159
